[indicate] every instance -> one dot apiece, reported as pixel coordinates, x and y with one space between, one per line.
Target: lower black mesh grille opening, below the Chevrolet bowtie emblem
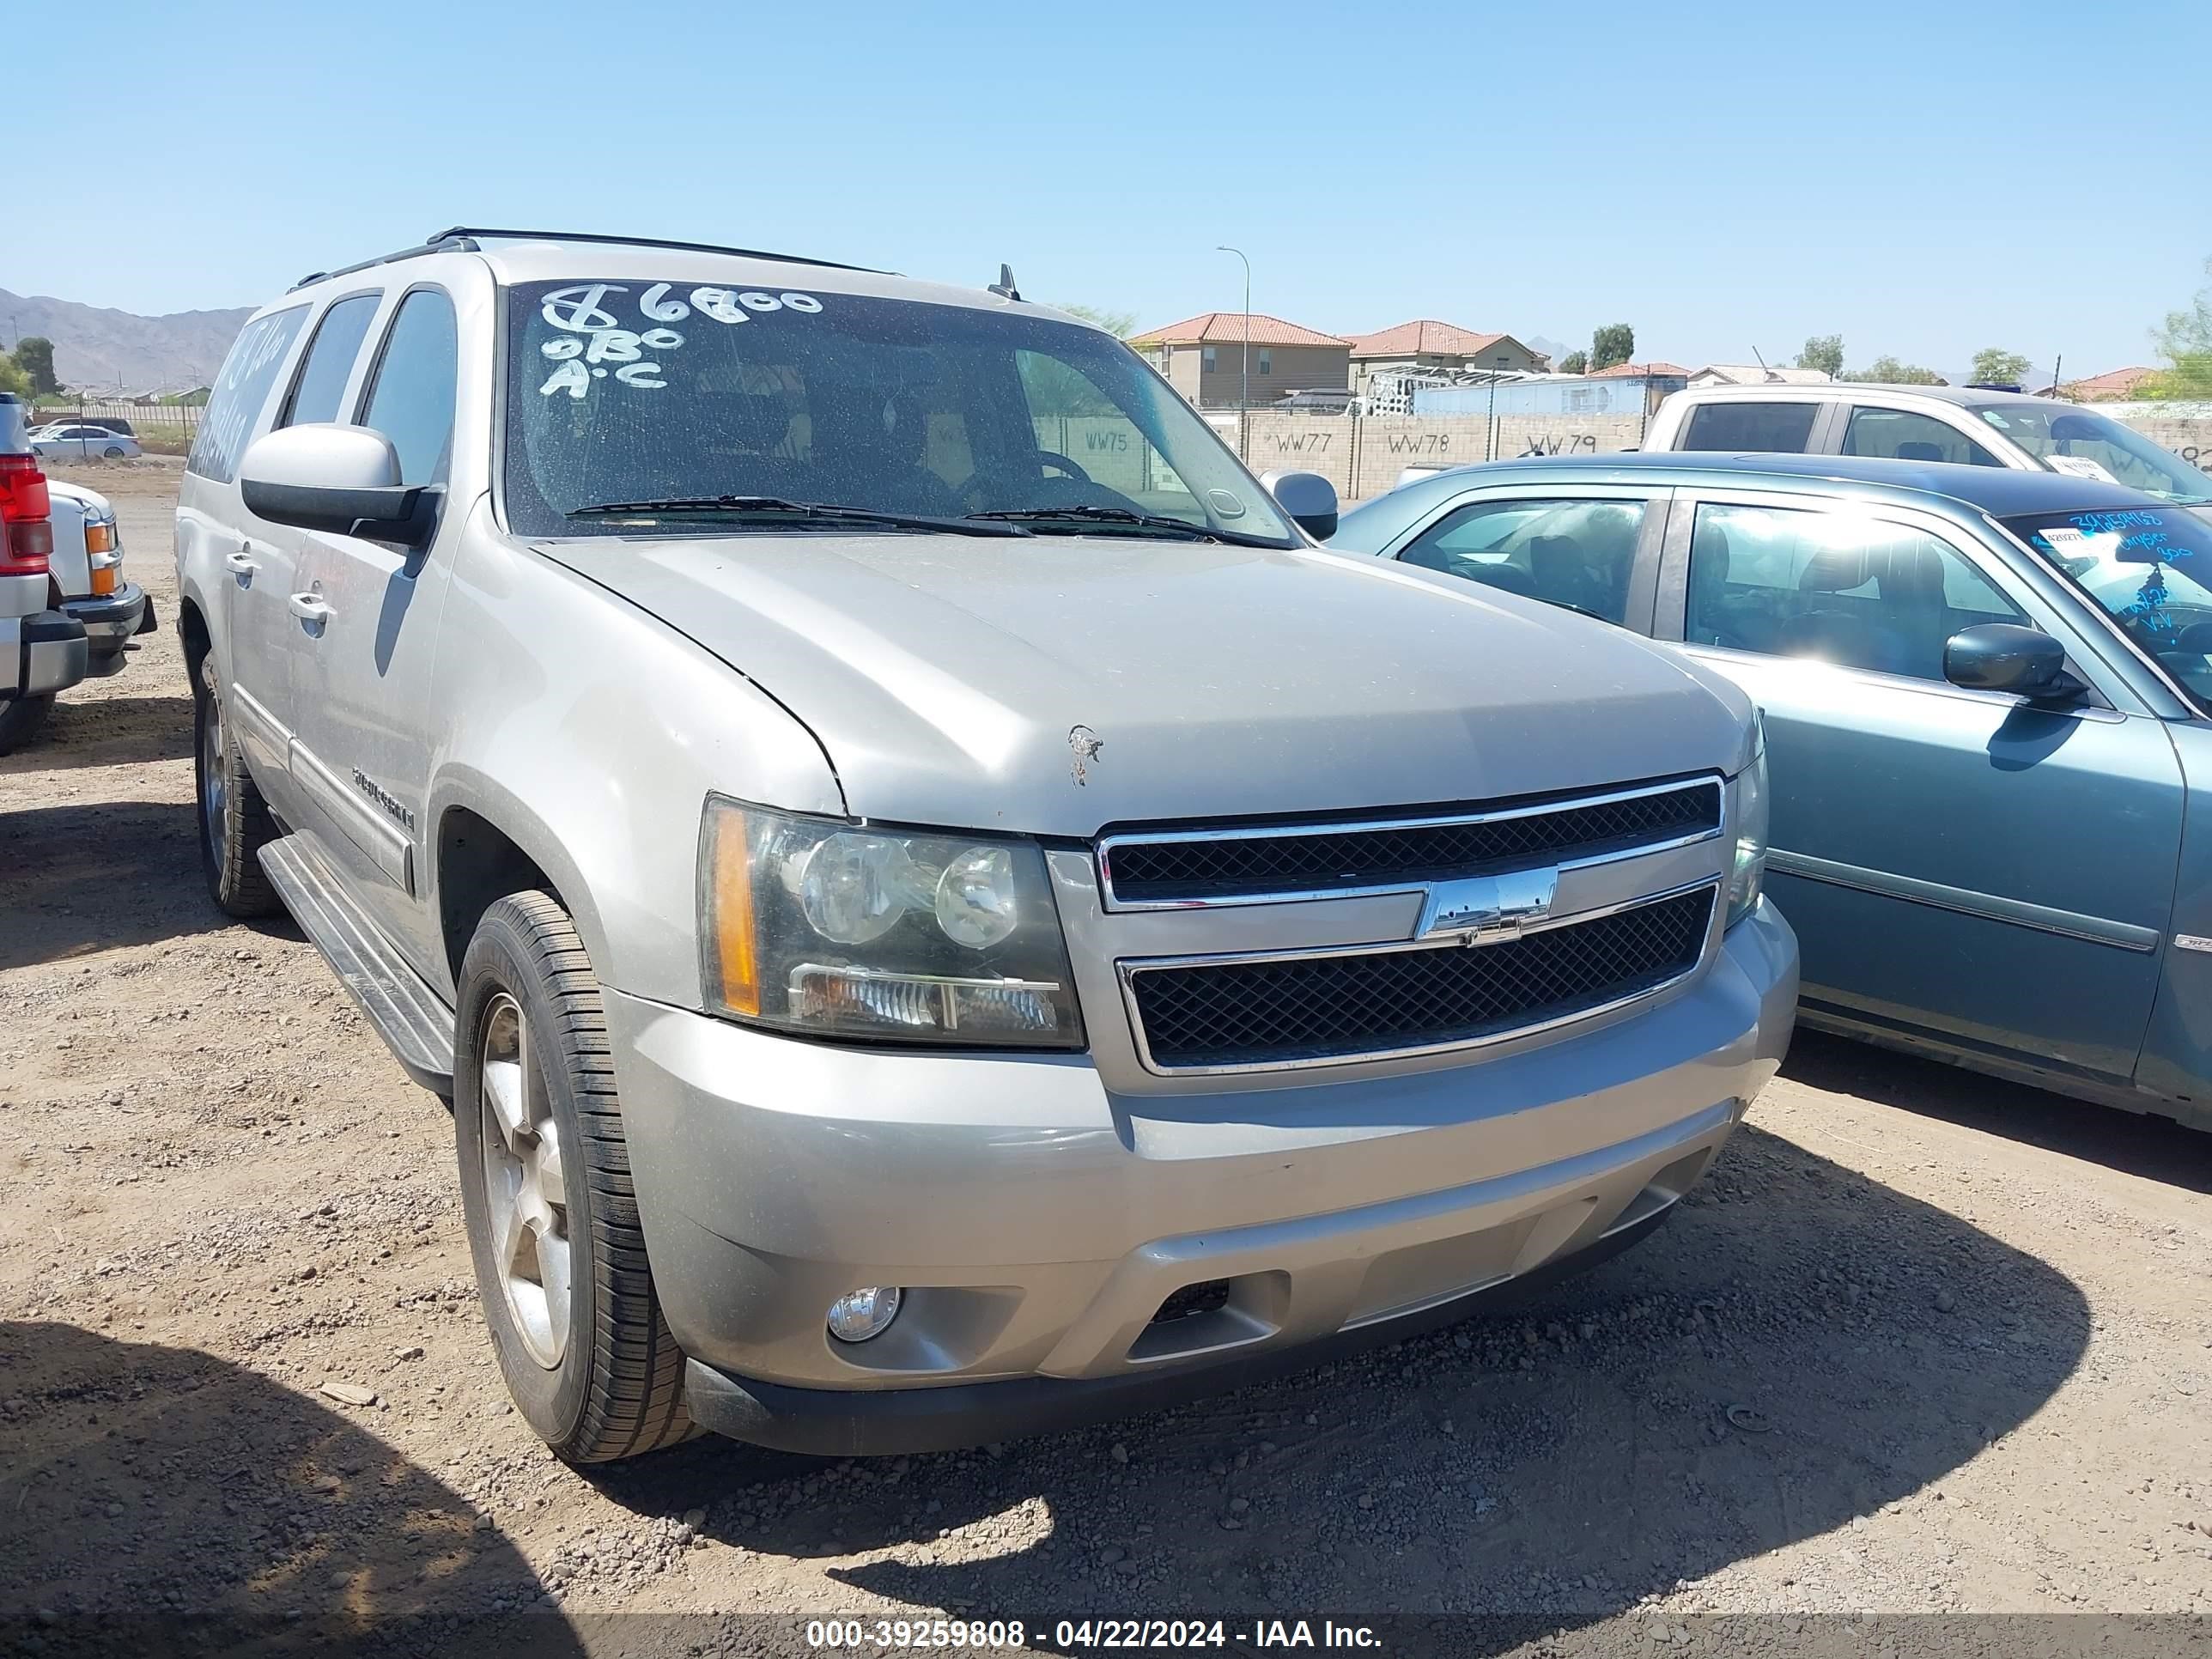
1359 1005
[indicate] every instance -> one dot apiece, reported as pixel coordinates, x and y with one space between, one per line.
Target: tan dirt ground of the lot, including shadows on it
1923 1344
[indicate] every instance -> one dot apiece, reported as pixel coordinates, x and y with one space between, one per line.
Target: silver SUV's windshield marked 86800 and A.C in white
627 393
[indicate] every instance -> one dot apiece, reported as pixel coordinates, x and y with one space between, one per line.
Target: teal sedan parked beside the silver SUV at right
1987 705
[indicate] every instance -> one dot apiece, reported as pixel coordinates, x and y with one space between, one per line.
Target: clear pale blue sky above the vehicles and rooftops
1923 180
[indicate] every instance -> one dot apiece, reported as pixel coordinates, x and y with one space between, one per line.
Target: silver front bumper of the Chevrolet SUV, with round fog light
1041 1222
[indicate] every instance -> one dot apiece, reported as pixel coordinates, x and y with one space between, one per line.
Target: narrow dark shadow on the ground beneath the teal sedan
2156 1149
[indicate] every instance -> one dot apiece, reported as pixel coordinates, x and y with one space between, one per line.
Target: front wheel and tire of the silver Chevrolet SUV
565 1282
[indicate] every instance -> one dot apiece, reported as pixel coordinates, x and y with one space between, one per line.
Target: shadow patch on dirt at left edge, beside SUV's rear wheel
81 879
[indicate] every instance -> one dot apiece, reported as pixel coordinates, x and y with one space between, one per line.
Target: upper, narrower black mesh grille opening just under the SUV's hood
1229 866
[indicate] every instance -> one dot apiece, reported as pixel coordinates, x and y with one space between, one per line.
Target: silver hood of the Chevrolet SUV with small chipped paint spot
1063 685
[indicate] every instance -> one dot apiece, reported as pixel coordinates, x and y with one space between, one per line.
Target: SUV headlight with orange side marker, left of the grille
822 928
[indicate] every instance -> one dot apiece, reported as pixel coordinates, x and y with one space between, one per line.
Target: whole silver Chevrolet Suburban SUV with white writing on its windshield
937 906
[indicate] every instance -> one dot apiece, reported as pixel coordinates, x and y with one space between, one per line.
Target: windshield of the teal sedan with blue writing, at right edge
2151 570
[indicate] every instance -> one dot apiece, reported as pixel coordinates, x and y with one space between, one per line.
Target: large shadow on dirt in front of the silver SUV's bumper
1797 1348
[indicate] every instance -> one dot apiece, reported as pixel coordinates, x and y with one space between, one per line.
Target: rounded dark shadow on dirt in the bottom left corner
158 1499
